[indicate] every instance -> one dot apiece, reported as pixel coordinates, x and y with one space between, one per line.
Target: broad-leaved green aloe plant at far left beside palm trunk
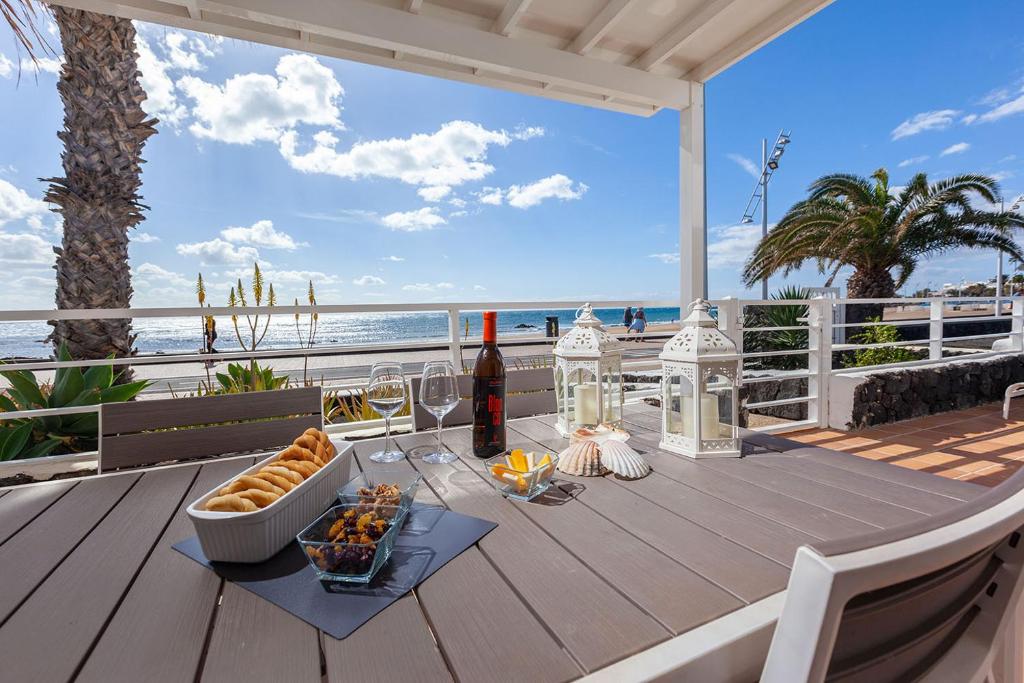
34 438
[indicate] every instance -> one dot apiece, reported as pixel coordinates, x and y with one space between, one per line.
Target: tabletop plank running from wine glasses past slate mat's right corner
556 584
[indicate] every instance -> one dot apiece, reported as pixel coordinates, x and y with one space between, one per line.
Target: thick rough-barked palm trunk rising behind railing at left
105 131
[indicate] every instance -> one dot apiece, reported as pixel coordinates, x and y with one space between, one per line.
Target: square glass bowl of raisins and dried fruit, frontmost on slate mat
358 559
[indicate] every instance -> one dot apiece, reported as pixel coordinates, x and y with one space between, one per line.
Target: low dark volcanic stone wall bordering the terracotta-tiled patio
901 395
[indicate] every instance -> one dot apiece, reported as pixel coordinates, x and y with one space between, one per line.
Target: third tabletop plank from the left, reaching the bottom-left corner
49 636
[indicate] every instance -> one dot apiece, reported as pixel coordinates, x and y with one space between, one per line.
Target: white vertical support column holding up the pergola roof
693 203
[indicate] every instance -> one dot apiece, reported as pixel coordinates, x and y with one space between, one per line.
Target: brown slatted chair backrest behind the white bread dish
149 433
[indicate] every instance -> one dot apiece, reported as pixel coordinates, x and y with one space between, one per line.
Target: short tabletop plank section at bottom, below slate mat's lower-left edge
257 642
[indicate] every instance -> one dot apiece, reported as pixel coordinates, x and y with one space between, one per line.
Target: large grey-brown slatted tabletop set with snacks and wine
600 571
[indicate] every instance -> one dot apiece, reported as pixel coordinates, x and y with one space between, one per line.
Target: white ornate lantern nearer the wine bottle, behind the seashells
588 375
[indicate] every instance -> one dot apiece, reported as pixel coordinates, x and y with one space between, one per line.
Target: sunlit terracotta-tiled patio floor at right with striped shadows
975 445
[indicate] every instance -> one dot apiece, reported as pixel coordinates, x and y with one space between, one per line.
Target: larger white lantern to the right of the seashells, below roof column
700 387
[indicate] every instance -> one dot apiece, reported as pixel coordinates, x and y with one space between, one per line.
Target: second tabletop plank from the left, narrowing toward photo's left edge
31 554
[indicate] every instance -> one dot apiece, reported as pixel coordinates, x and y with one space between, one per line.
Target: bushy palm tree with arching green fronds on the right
882 232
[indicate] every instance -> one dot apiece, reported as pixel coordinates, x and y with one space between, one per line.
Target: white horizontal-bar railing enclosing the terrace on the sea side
821 325
